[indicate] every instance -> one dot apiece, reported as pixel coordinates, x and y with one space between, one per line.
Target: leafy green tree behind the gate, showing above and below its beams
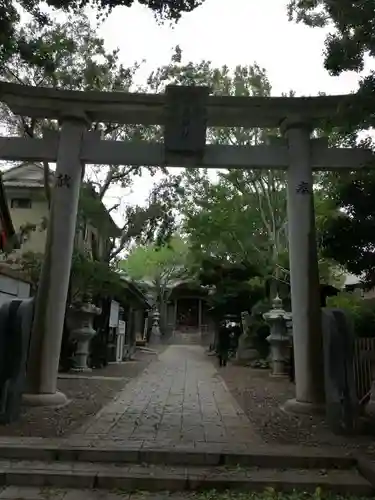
244 213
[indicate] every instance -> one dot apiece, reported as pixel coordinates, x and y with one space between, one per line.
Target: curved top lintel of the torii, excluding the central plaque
149 109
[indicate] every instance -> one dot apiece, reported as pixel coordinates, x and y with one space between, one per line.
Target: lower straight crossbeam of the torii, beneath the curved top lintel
142 153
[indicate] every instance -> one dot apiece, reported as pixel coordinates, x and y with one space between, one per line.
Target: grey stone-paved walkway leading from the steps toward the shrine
180 399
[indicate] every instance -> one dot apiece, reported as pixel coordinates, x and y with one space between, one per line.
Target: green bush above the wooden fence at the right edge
361 310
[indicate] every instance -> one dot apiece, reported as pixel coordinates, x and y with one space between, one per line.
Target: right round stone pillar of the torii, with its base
304 273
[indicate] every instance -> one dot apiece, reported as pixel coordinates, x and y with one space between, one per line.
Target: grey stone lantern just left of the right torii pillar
279 338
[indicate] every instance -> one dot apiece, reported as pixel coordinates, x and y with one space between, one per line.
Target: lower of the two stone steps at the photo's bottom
134 477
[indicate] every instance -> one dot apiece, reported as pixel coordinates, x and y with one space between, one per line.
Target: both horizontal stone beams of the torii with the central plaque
185 113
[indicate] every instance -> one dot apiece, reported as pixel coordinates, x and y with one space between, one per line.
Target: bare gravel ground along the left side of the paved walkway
87 396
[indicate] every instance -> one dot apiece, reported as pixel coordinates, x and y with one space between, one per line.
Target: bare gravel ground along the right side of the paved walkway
260 396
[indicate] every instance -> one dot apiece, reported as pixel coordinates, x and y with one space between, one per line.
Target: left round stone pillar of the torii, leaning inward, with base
53 287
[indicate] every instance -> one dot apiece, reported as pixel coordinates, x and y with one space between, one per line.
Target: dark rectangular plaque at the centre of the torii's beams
185 121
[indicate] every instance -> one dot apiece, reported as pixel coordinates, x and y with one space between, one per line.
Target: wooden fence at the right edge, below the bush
364 367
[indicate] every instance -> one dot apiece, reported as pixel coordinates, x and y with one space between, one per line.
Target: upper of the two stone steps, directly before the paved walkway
108 452
